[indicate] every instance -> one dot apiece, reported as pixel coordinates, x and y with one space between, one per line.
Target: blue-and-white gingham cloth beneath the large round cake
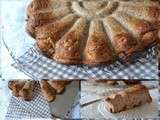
35 65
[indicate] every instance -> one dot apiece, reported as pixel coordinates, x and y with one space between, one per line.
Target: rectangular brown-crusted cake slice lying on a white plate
131 97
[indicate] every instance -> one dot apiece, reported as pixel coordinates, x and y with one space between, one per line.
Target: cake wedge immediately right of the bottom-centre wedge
121 40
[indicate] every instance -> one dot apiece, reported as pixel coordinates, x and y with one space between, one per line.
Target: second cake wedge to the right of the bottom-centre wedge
144 31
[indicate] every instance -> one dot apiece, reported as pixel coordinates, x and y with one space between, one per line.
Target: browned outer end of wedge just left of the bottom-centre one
67 49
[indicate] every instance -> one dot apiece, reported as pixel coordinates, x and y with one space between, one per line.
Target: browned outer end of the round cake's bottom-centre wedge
97 50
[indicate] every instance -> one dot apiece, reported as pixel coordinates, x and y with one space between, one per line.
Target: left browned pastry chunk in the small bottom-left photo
22 88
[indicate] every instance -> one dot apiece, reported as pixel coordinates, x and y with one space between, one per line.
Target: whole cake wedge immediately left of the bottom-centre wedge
69 48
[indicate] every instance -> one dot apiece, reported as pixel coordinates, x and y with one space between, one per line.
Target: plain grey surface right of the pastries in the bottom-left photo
65 101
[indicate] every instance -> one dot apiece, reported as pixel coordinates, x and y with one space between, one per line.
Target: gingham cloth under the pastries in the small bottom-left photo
37 108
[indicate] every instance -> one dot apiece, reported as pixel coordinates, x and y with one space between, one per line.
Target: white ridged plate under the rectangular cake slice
144 111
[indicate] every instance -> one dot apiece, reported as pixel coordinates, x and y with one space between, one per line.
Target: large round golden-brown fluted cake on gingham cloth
93 32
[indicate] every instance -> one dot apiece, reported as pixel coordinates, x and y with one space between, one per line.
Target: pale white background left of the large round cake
8 21
